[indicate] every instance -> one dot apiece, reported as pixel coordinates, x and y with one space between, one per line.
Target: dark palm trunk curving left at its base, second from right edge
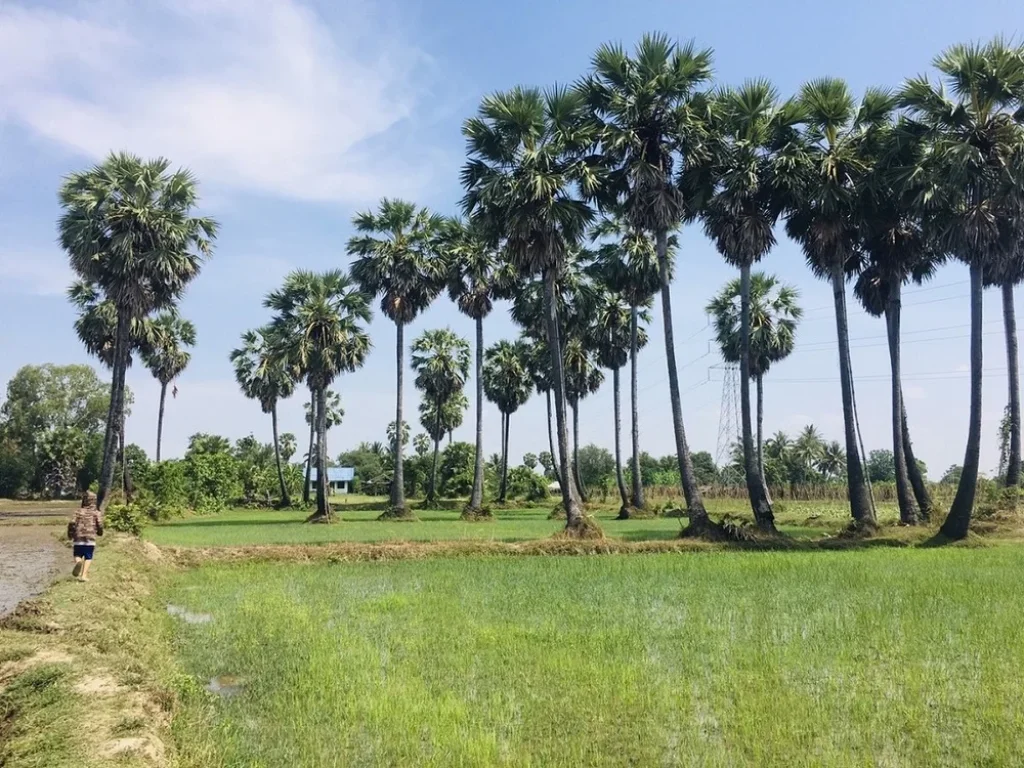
959 520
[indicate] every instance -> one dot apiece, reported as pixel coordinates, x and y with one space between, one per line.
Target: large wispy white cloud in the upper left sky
264 97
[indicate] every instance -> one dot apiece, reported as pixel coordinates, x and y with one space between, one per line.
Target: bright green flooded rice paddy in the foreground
875 657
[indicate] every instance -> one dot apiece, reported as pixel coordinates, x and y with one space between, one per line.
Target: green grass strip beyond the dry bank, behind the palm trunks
358 524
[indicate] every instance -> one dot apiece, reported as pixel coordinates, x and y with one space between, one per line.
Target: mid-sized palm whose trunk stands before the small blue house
320 328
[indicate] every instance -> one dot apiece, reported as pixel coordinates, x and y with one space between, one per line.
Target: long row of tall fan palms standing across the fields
573 200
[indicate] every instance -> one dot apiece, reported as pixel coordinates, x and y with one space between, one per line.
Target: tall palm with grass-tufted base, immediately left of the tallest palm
527 163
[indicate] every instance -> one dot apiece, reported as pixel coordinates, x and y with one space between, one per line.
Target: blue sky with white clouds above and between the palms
296 115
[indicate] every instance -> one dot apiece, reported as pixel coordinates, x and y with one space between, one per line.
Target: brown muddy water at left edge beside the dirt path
31 558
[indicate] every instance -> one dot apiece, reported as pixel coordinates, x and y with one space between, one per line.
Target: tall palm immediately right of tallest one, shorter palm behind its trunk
754 135
